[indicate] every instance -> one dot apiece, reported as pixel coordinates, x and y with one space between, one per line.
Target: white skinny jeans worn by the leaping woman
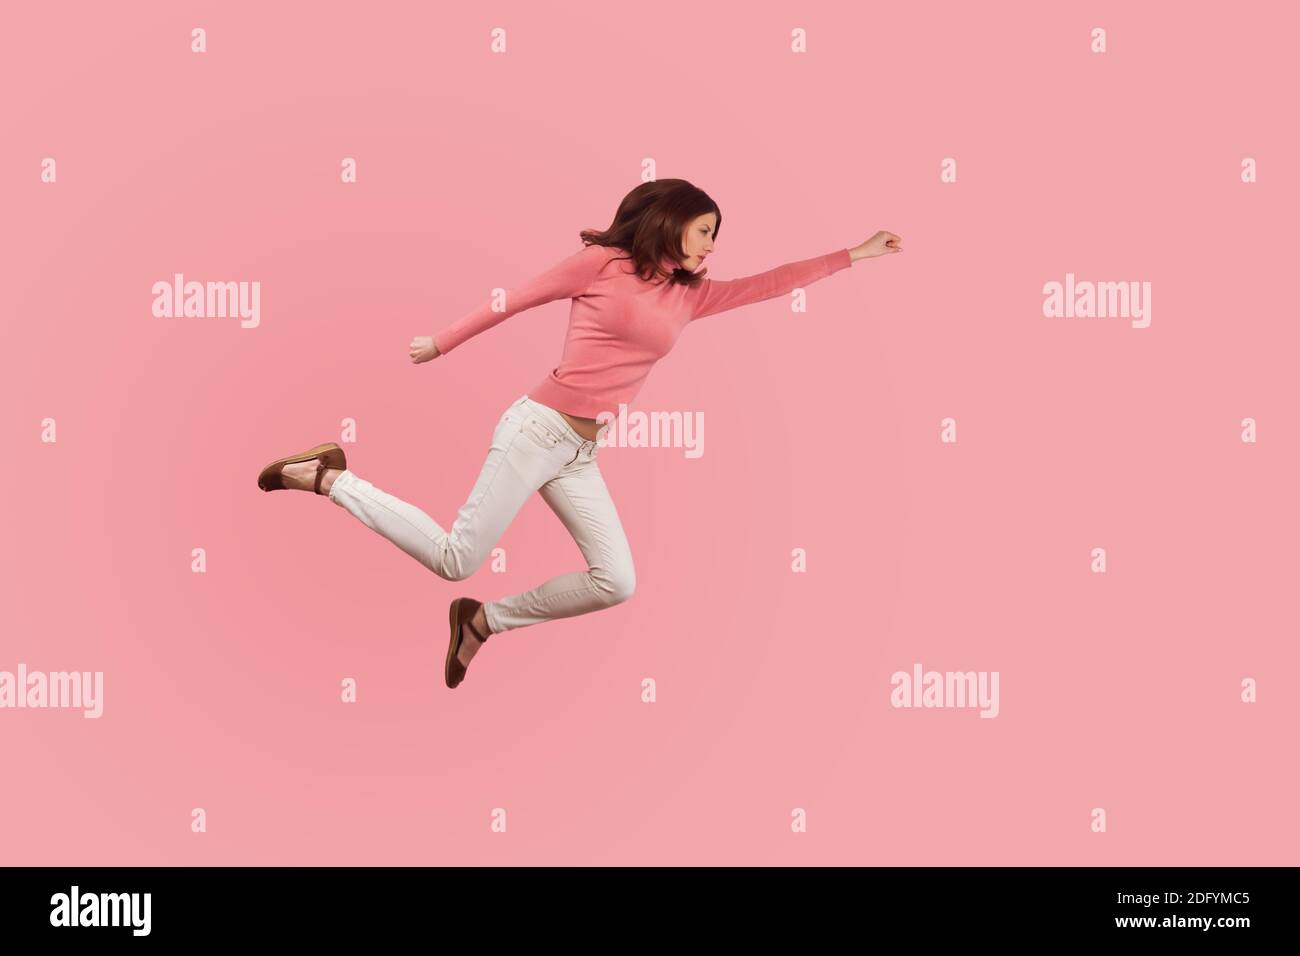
534 449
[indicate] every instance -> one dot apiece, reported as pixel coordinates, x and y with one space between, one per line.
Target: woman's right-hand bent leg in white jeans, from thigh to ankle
580 499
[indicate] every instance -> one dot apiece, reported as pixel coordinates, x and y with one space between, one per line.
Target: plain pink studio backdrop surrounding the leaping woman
1120 691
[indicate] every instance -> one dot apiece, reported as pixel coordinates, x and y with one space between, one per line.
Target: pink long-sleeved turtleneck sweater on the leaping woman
621 325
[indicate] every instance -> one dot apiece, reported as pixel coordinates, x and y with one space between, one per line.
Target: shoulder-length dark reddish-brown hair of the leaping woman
649 226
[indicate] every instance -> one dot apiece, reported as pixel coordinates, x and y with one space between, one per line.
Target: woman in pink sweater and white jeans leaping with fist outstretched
635 288
